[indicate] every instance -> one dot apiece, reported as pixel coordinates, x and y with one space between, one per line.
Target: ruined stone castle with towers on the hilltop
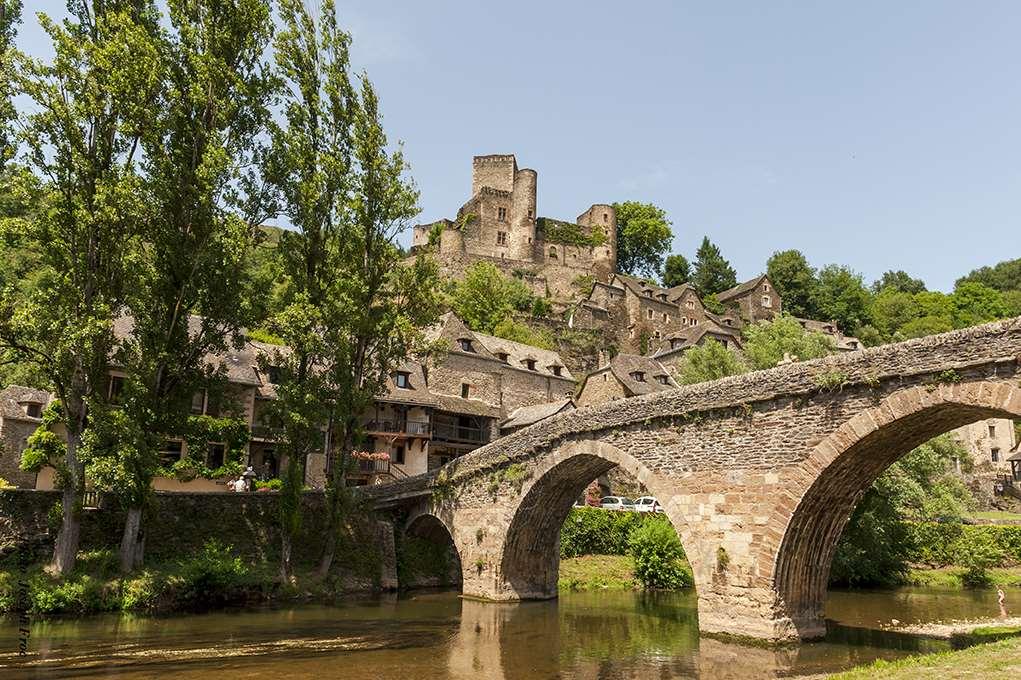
500 224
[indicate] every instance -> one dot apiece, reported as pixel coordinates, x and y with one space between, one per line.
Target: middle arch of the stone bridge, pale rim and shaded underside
530 561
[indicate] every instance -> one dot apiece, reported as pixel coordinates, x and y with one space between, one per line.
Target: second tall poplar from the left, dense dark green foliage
201 220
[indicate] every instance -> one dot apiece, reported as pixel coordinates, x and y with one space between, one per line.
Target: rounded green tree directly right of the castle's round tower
644 237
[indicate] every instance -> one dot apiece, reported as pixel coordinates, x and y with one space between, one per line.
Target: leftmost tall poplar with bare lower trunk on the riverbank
93 107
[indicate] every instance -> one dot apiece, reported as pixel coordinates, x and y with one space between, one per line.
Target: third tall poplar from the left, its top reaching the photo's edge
310 167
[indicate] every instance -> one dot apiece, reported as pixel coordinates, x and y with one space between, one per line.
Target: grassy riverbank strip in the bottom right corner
997 660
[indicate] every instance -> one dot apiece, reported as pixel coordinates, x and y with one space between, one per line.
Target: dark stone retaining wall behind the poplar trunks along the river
179 525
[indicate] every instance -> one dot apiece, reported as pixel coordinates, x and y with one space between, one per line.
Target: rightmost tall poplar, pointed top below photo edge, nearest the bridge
381 303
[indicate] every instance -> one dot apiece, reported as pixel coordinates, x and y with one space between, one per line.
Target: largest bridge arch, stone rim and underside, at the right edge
843 467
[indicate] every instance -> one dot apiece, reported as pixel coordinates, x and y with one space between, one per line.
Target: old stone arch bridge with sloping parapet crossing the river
758 473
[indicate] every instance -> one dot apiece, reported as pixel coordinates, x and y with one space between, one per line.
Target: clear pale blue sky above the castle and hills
878 135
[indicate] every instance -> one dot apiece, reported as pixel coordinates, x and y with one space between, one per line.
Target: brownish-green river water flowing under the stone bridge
436 636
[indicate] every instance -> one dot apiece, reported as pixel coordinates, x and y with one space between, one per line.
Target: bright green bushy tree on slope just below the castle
484 298
